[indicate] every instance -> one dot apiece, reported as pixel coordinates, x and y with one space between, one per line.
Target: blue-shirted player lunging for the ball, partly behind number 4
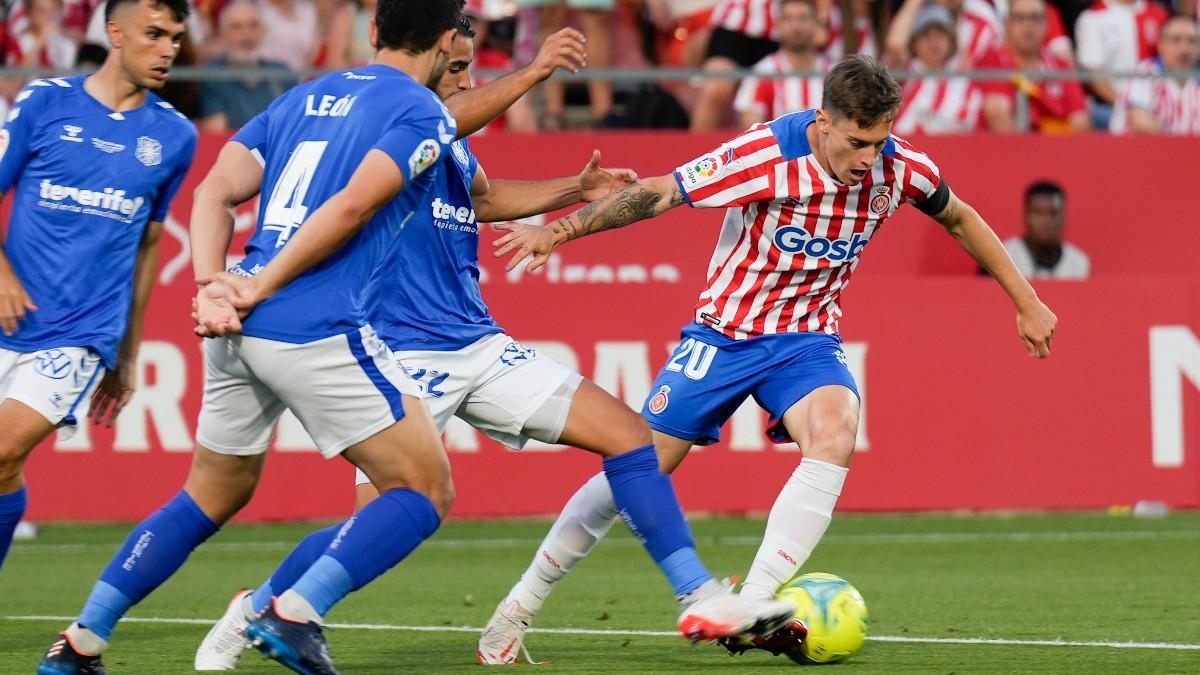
427 304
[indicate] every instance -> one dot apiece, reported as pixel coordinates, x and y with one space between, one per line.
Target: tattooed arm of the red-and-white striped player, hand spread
644 200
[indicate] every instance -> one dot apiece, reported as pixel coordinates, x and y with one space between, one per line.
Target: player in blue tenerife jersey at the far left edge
95 163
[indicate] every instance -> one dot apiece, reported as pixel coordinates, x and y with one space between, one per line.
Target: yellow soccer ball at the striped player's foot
835 613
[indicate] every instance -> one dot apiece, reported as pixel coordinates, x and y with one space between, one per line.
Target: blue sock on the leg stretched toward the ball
649 505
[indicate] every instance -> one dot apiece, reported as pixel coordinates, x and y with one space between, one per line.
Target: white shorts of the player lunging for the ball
496 385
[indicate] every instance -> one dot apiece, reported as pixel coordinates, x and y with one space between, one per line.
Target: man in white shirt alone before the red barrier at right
1042 252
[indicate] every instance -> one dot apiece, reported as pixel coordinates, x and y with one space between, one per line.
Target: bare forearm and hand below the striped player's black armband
1035 321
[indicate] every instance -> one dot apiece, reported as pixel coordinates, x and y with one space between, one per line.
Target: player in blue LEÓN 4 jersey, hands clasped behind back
341 163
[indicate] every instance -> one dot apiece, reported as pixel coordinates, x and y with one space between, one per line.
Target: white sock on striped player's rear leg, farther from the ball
585 521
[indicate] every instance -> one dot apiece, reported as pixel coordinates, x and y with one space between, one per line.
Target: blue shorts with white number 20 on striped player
710 375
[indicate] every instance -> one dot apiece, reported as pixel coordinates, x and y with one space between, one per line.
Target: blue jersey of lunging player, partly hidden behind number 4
427 295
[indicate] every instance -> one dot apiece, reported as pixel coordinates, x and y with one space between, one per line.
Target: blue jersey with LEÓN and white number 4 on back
311 141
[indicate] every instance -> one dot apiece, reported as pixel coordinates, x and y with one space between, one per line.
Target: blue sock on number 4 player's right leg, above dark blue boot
369 545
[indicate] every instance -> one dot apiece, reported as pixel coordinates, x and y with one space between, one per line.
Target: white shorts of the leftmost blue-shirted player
57 384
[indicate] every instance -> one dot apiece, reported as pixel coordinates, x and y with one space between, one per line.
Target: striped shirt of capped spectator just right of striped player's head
939 106
